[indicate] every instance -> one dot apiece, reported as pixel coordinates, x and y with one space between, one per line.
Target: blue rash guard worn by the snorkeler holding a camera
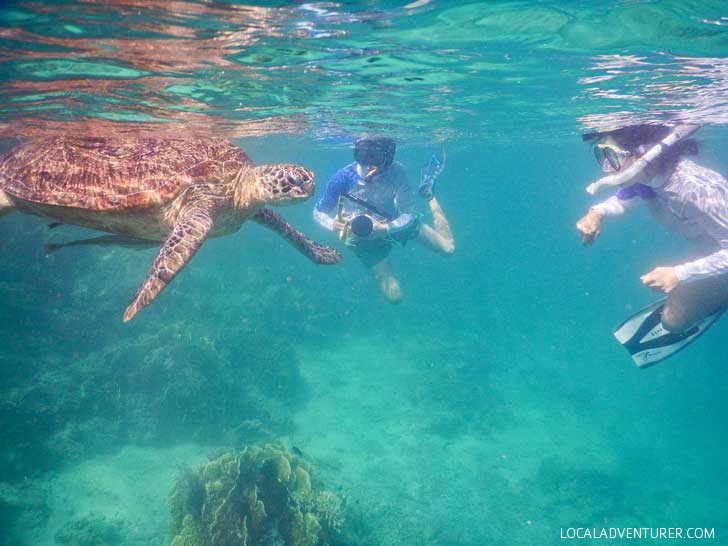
388 192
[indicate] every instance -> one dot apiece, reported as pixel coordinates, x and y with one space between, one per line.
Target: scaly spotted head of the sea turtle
275 184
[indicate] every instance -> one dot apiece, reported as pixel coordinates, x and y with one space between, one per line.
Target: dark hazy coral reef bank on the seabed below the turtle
153 389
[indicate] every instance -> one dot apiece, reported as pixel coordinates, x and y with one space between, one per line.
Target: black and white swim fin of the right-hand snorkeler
647 340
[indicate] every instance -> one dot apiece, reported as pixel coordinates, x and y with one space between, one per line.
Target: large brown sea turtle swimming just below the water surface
178 191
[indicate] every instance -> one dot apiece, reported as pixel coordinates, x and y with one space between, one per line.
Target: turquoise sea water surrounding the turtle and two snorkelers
492 407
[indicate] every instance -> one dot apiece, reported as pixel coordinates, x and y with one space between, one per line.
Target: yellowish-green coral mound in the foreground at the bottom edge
259 496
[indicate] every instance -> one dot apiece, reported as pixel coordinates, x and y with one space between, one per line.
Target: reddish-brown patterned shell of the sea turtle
116 173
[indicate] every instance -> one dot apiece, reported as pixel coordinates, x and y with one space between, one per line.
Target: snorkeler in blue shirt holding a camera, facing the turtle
370 205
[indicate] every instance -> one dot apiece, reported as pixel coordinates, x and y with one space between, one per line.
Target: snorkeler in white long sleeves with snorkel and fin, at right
651 164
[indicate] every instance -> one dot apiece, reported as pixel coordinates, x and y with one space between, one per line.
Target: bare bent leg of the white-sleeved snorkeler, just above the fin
689 303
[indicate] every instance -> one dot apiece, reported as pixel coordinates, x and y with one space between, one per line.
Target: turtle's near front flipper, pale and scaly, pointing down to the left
189 232
